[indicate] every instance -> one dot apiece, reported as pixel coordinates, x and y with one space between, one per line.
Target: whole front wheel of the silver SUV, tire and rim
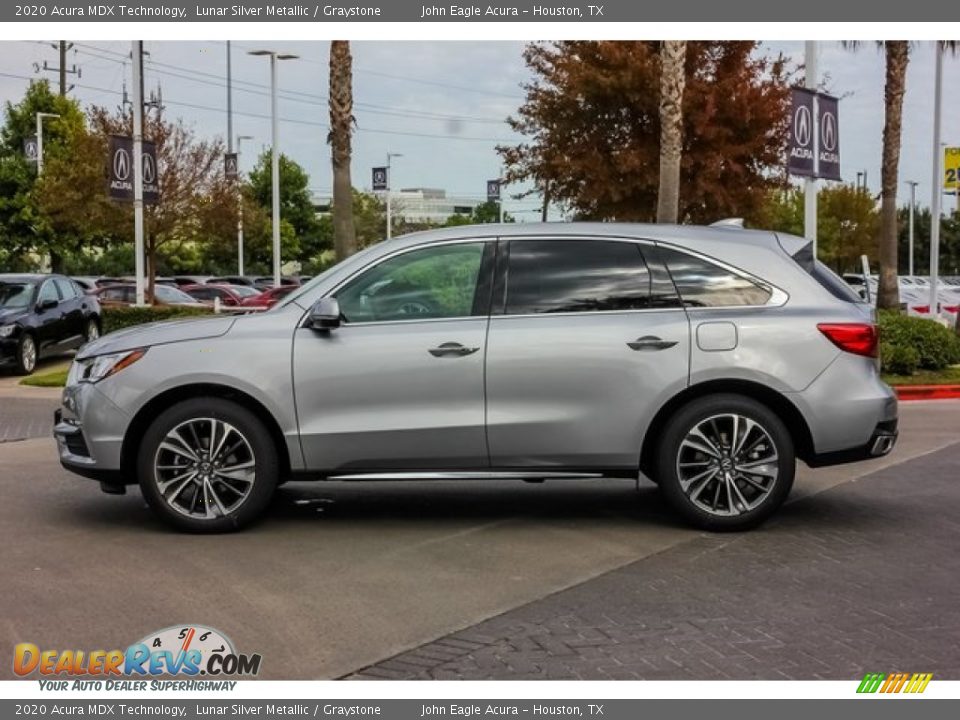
208 465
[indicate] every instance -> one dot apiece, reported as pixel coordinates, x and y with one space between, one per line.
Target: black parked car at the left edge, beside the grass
42 315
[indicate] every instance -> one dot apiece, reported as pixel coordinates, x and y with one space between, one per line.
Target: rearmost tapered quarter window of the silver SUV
701 283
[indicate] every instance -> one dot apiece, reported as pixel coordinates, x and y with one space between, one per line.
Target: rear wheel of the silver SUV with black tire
742 499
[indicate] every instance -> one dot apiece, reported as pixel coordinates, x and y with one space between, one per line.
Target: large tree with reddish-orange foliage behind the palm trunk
592 119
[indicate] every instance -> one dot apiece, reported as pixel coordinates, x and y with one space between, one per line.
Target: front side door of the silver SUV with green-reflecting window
399 385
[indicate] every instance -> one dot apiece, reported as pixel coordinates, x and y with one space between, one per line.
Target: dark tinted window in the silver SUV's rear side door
550 276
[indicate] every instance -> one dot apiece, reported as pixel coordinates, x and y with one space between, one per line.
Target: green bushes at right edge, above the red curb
934 345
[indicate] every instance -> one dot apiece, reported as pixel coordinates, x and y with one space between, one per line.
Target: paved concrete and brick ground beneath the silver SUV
564 579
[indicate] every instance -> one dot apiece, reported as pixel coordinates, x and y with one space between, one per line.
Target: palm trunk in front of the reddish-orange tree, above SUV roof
673 55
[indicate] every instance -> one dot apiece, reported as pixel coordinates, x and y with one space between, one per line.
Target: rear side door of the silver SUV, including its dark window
589 339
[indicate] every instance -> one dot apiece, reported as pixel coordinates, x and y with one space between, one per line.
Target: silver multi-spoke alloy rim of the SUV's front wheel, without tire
204 468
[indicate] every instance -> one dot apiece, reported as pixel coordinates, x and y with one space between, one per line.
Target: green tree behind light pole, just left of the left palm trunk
296 206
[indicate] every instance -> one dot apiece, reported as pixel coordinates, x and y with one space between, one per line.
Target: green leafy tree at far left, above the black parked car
23 227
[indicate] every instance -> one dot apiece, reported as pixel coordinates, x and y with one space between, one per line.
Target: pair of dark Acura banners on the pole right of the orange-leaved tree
814 135
